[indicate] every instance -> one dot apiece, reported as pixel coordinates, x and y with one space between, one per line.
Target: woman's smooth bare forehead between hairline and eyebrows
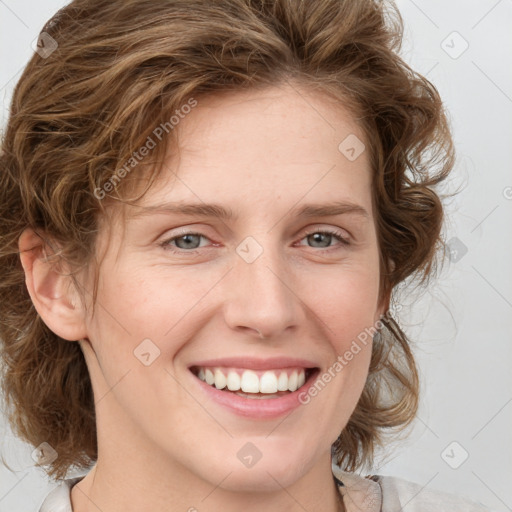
262 146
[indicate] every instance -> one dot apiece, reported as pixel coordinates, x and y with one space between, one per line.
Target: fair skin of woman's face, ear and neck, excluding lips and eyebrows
162 443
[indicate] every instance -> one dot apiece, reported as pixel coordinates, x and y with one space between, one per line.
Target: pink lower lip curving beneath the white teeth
264 408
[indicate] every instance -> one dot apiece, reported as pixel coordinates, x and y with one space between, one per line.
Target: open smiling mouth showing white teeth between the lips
255 383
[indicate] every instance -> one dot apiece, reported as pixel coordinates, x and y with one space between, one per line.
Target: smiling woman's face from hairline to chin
183 296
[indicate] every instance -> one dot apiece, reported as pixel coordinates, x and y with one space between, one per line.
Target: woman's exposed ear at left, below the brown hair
52 291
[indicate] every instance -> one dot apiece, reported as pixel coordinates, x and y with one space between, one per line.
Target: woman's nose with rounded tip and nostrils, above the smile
261 296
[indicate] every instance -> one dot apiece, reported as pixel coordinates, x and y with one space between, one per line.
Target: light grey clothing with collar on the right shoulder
379 493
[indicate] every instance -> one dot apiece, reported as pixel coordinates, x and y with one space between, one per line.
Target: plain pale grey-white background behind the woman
462 326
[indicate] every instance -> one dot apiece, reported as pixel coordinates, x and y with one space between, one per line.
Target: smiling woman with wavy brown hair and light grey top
169 321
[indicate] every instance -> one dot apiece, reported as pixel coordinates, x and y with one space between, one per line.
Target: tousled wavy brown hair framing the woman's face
120 68
